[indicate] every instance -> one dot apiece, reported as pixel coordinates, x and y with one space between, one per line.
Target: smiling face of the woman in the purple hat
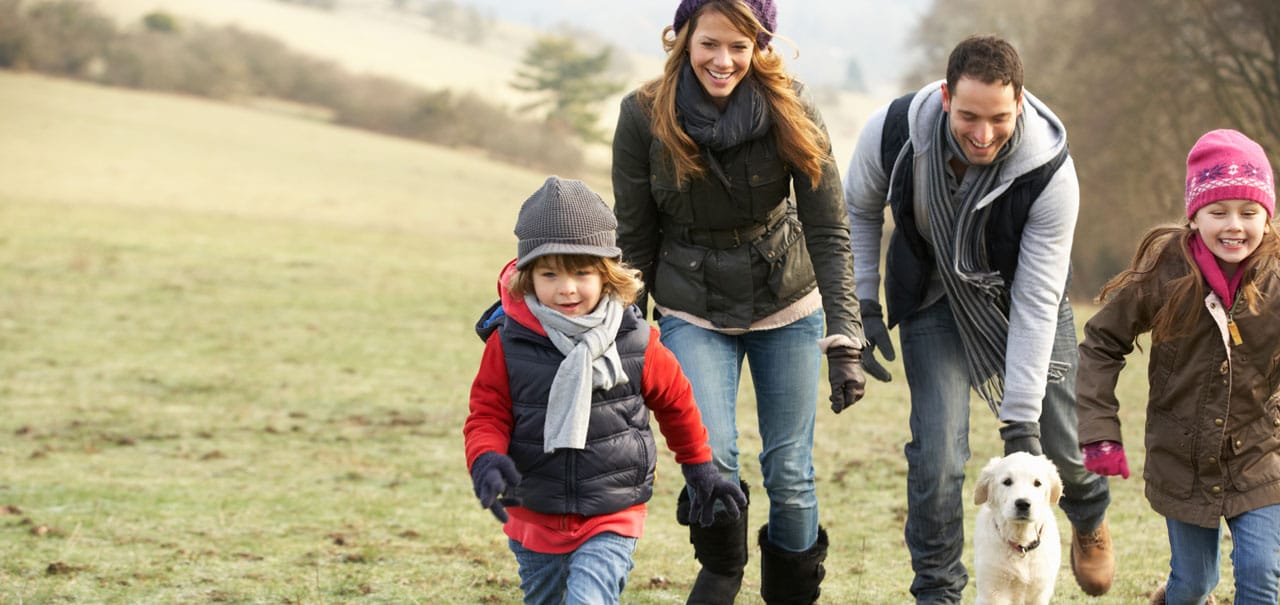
720 54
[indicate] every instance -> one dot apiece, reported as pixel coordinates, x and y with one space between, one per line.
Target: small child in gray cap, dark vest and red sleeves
560 409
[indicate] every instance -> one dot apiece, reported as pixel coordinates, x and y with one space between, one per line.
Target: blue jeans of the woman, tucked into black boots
785 366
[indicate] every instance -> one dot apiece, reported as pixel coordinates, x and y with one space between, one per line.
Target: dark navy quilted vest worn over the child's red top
618 467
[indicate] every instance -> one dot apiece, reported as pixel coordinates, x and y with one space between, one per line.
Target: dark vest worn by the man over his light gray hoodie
909 260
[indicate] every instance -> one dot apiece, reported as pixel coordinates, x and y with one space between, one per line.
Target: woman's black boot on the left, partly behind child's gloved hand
723 552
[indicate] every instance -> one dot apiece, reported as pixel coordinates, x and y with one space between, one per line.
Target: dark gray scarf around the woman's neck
746 118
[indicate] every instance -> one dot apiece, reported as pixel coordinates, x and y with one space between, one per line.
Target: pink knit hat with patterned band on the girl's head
1228 166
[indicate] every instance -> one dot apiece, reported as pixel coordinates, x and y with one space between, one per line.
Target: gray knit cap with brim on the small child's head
565 218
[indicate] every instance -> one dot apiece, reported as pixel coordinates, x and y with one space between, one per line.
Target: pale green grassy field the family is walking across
235 359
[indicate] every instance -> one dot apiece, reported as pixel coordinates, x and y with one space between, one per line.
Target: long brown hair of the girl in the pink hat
1186 292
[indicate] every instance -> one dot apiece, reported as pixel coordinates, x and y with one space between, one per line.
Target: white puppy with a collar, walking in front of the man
1017 547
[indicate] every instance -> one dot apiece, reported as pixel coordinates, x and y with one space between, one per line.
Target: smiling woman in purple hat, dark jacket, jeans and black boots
705 159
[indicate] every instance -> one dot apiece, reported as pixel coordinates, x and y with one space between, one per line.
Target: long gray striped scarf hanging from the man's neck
979 296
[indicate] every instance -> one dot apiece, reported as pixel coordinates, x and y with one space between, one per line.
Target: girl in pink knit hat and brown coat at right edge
1210 295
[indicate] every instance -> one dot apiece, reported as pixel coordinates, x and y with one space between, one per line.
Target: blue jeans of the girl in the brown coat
1194 569
